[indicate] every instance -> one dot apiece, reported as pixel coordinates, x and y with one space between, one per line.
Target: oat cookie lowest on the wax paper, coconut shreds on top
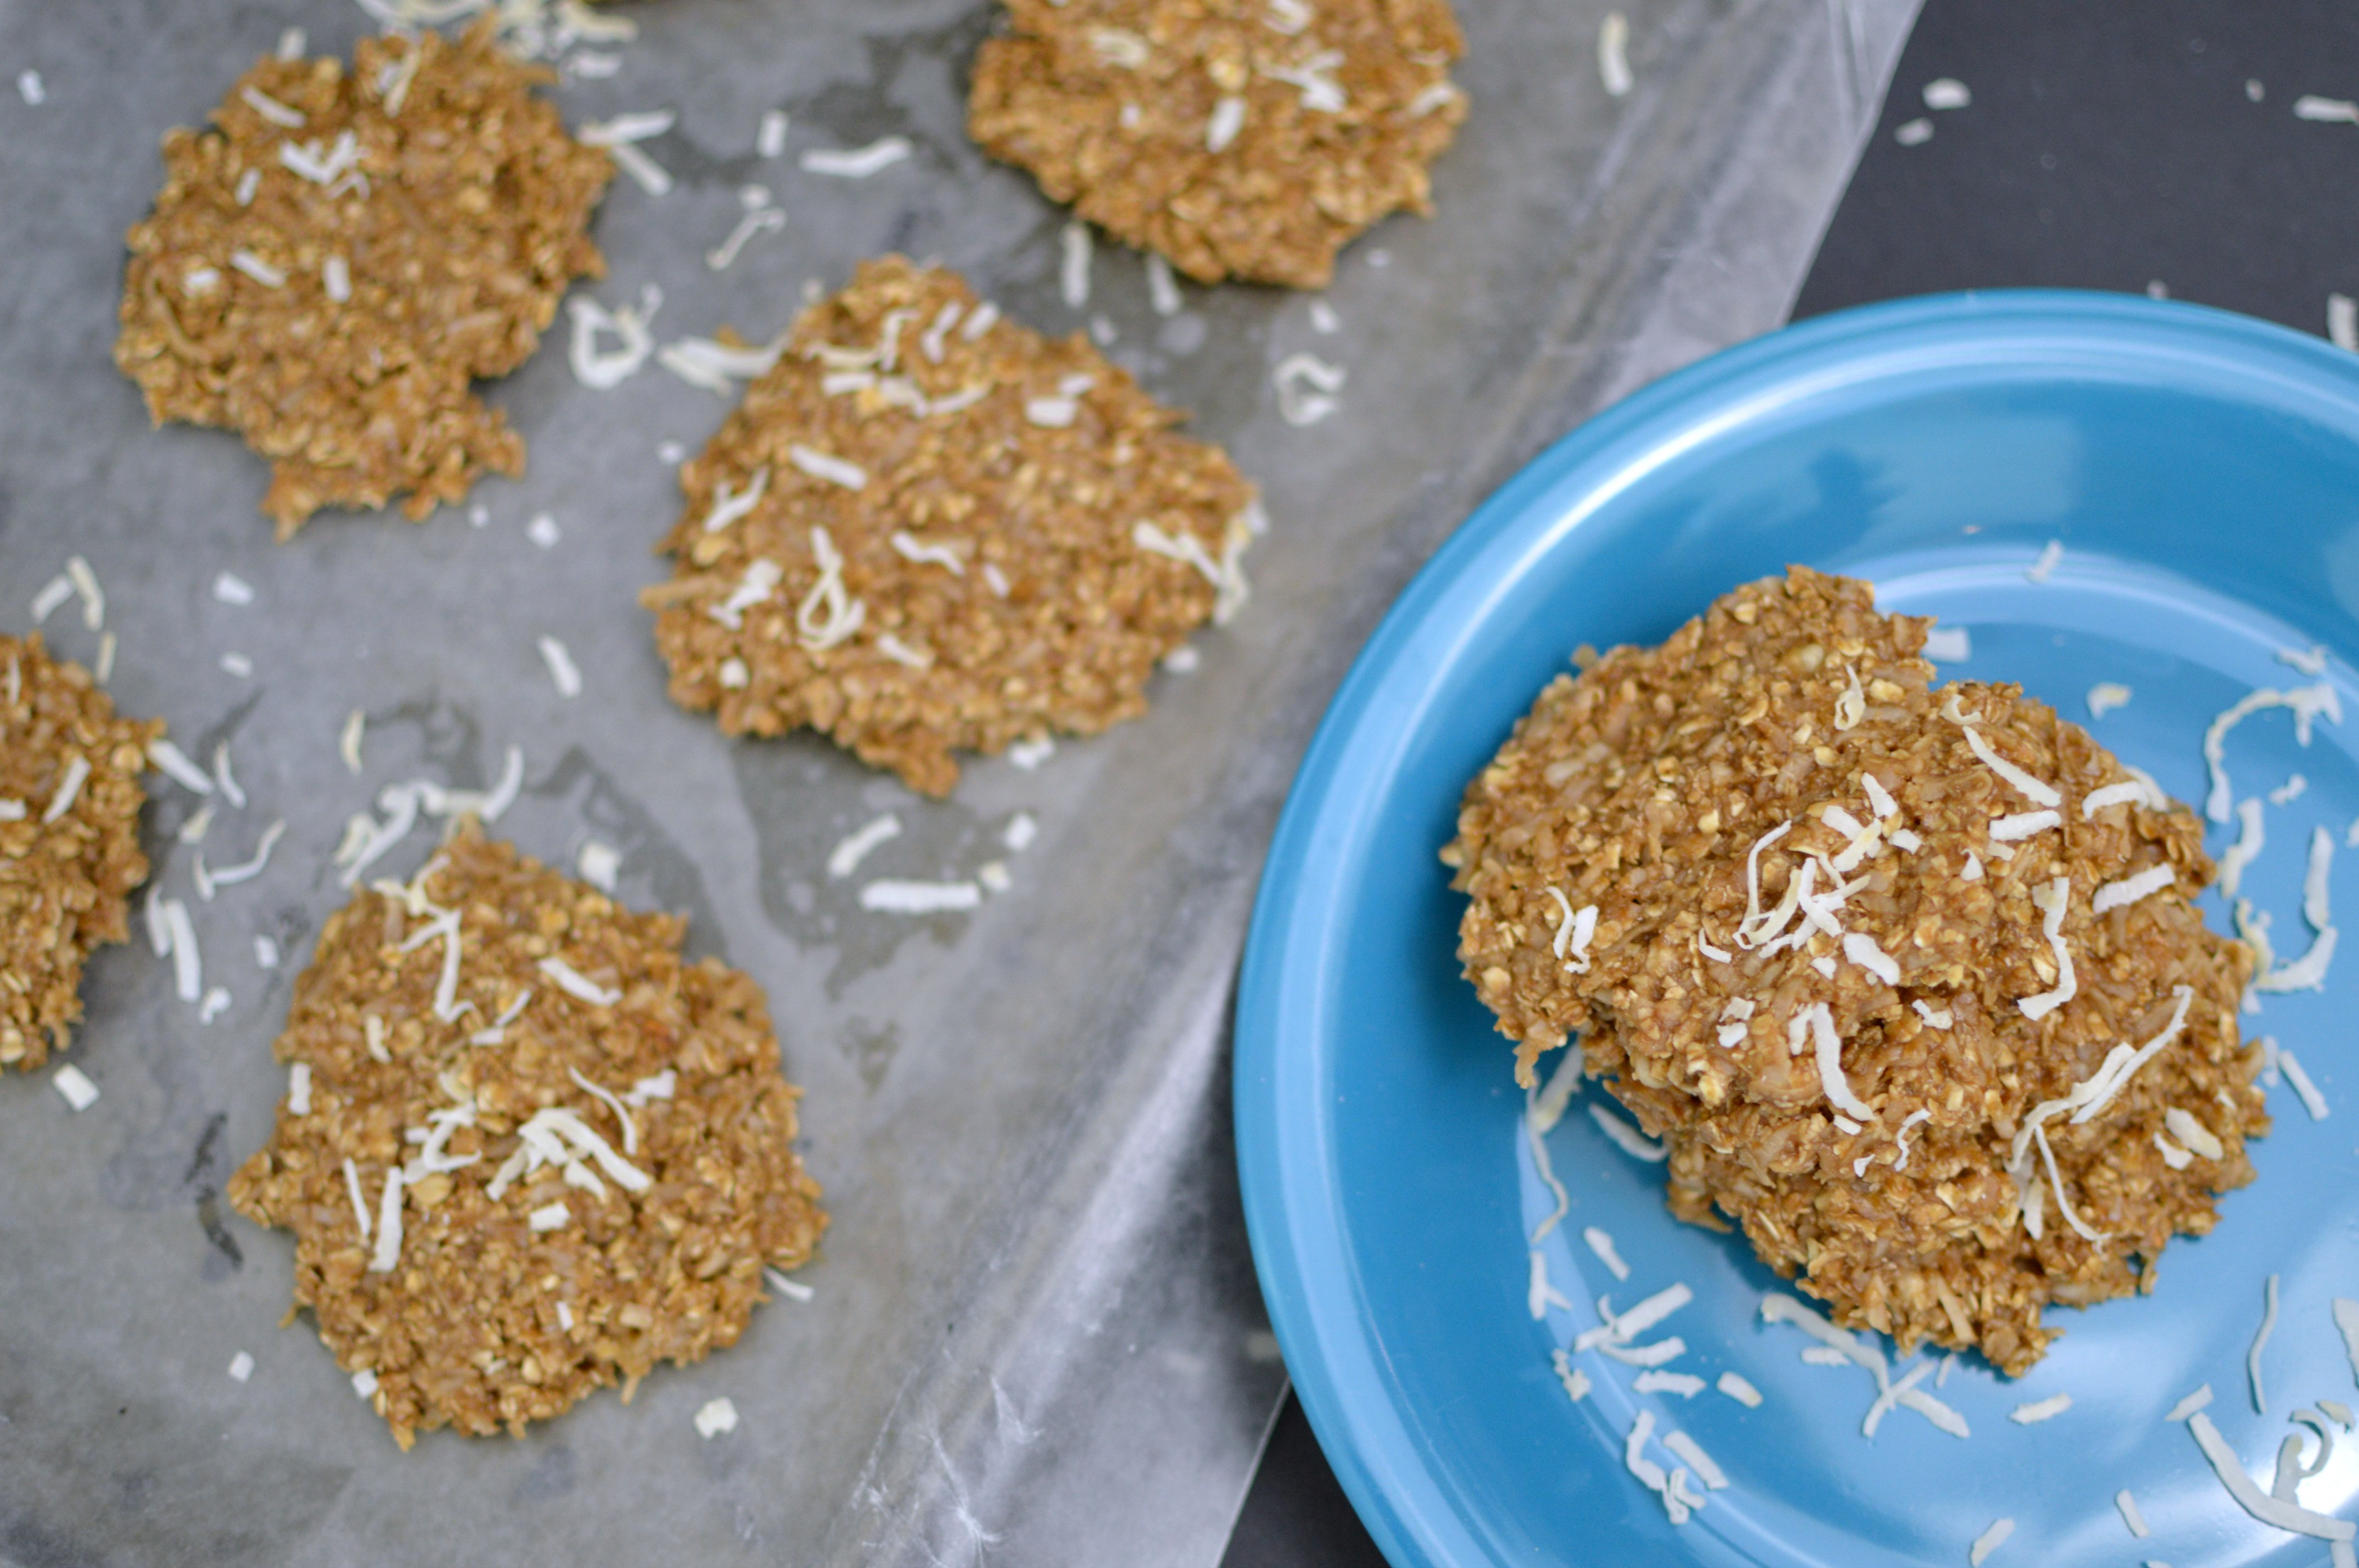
593 1138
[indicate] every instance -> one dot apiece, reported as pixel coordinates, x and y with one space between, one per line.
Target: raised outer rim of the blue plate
1292 1204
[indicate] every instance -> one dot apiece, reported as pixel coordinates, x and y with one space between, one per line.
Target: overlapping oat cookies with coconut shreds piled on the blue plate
1872 961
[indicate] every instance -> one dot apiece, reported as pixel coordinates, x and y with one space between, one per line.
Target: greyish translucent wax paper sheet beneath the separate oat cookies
1034 1331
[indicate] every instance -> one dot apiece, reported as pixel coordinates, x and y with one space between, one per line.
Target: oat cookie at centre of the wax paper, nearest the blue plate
933 529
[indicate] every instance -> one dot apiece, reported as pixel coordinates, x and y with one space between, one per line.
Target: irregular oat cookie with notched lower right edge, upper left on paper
336 261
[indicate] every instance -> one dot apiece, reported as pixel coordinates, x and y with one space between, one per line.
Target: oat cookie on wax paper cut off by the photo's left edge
70 838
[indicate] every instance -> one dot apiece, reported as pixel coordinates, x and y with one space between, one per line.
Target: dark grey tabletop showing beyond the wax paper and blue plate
2105 147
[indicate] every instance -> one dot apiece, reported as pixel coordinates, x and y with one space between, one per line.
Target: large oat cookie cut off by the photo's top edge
1240 138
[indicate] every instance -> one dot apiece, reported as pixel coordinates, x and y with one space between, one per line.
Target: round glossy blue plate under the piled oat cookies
2204 477
